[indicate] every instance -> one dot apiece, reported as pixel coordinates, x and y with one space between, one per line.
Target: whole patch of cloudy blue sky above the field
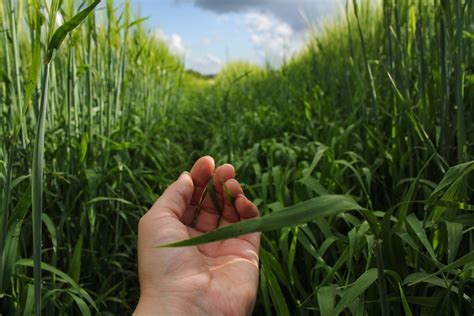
209 33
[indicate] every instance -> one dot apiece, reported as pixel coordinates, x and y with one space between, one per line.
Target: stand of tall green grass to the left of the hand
81 150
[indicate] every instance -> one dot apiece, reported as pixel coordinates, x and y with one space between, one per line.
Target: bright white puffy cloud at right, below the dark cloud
272 38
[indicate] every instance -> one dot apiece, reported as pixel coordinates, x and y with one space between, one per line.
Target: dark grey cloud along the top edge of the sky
289 11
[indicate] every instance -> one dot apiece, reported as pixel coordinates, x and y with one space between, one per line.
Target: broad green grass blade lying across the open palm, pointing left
301 213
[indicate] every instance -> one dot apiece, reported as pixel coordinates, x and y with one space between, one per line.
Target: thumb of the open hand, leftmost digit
176 197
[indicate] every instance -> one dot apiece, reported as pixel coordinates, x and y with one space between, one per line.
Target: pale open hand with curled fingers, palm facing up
219 278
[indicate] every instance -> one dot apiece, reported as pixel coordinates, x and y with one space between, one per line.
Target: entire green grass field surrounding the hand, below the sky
378 106
